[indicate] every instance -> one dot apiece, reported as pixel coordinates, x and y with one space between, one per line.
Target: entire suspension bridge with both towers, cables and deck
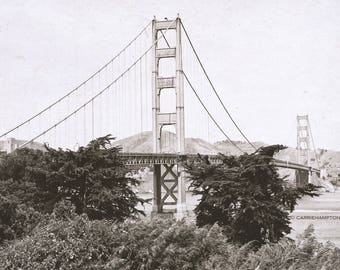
146 86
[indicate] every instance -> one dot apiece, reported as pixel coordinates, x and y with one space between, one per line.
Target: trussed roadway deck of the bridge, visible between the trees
163 158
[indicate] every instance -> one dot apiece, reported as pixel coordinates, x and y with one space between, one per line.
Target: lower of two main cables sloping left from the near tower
98 94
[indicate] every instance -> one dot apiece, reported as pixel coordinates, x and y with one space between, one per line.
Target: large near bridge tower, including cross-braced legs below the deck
168 182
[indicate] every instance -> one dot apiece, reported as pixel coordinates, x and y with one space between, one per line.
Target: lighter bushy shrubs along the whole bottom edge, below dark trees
71 241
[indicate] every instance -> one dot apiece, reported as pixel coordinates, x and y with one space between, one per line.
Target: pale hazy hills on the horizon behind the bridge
142 143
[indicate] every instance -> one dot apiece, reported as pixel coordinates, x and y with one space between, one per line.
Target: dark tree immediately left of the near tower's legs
93 178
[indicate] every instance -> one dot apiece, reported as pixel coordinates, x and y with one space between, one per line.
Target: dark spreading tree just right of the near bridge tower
245 195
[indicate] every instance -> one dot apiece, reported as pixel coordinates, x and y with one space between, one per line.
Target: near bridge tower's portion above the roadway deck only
174 83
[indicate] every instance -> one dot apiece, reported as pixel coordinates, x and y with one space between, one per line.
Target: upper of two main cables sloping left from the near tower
80 85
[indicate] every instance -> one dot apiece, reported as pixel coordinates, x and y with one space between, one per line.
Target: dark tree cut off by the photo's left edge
17 194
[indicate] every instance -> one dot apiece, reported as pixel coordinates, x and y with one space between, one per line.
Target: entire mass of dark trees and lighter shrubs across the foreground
63 209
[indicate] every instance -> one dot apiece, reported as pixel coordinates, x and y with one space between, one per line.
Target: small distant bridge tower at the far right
303 148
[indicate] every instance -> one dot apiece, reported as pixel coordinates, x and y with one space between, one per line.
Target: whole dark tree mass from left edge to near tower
93 178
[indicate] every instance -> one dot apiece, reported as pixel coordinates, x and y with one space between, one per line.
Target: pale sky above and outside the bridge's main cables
270 60
